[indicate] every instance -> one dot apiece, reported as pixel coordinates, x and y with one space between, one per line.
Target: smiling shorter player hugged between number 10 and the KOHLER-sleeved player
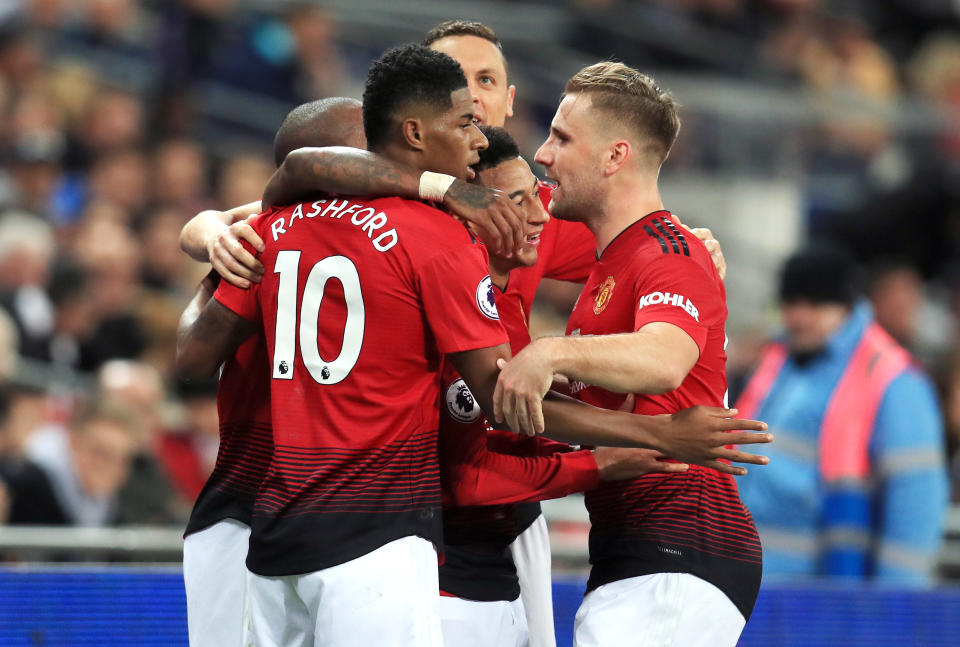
482 481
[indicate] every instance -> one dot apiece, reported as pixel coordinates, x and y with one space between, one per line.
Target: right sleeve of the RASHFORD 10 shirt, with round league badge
458 298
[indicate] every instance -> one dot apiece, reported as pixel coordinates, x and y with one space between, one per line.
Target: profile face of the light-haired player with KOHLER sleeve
571 160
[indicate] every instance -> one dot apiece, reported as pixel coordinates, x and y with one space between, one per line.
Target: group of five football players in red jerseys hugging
384 414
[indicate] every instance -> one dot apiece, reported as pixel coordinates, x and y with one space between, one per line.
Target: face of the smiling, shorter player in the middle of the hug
515 178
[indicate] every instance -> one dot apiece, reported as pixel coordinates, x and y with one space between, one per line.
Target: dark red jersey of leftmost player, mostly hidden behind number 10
246 438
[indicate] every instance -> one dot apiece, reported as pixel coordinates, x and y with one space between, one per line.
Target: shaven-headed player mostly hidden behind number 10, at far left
217 534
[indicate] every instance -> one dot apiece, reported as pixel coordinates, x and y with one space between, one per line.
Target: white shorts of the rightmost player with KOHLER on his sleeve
656 611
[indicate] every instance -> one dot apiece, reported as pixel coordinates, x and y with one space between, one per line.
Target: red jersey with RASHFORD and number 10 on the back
358 302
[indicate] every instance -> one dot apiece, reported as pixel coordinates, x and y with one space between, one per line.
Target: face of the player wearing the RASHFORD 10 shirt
451 140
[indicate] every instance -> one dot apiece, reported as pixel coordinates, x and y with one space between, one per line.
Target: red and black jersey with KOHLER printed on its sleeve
686 522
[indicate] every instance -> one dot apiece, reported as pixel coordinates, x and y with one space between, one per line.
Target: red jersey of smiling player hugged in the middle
485 473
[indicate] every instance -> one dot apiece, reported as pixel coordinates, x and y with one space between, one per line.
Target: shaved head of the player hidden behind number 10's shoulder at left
325 122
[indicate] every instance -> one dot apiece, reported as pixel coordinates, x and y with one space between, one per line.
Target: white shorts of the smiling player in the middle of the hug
467 623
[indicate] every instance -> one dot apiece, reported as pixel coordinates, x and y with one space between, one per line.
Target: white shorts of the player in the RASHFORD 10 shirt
388 598
